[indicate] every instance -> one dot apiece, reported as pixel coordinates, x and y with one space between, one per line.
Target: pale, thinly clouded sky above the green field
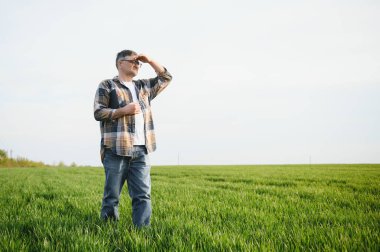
254 82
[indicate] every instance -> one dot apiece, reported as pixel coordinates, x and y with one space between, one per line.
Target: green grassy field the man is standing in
206 208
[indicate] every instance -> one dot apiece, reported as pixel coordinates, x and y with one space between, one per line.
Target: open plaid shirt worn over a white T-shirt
118 134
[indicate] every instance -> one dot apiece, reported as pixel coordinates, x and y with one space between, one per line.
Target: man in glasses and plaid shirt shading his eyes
122 105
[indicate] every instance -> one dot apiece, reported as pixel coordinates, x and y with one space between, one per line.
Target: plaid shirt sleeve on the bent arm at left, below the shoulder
102 112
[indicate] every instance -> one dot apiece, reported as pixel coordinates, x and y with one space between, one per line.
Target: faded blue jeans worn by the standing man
136 171
